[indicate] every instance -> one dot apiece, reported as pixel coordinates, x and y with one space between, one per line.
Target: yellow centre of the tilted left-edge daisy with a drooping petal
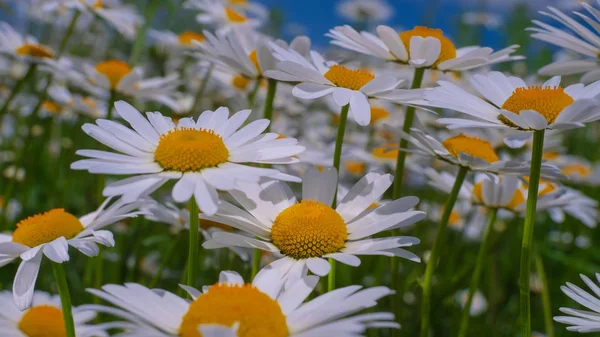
46 227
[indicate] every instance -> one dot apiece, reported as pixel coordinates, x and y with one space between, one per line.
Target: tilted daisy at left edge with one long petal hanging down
50 234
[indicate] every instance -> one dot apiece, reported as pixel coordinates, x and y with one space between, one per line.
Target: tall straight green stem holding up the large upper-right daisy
526 245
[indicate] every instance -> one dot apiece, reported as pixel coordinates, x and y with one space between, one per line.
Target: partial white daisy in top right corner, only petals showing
576 38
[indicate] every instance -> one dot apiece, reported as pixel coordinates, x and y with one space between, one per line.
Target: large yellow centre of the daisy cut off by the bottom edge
258 314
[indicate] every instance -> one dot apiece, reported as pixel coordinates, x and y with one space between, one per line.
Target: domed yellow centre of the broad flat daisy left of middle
186 149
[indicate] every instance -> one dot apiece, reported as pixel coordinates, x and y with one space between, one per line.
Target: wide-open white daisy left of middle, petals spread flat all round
203 155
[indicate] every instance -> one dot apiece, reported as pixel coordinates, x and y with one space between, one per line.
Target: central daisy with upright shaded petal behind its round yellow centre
306 233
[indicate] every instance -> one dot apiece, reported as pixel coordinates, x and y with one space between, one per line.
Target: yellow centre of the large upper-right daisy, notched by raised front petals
548 101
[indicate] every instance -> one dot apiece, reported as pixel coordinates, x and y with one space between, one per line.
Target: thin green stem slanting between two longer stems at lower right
481 256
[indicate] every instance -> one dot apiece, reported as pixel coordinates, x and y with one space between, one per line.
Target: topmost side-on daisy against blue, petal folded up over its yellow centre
421 47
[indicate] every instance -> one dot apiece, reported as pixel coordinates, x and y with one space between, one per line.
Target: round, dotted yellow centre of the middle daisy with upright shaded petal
309 229
